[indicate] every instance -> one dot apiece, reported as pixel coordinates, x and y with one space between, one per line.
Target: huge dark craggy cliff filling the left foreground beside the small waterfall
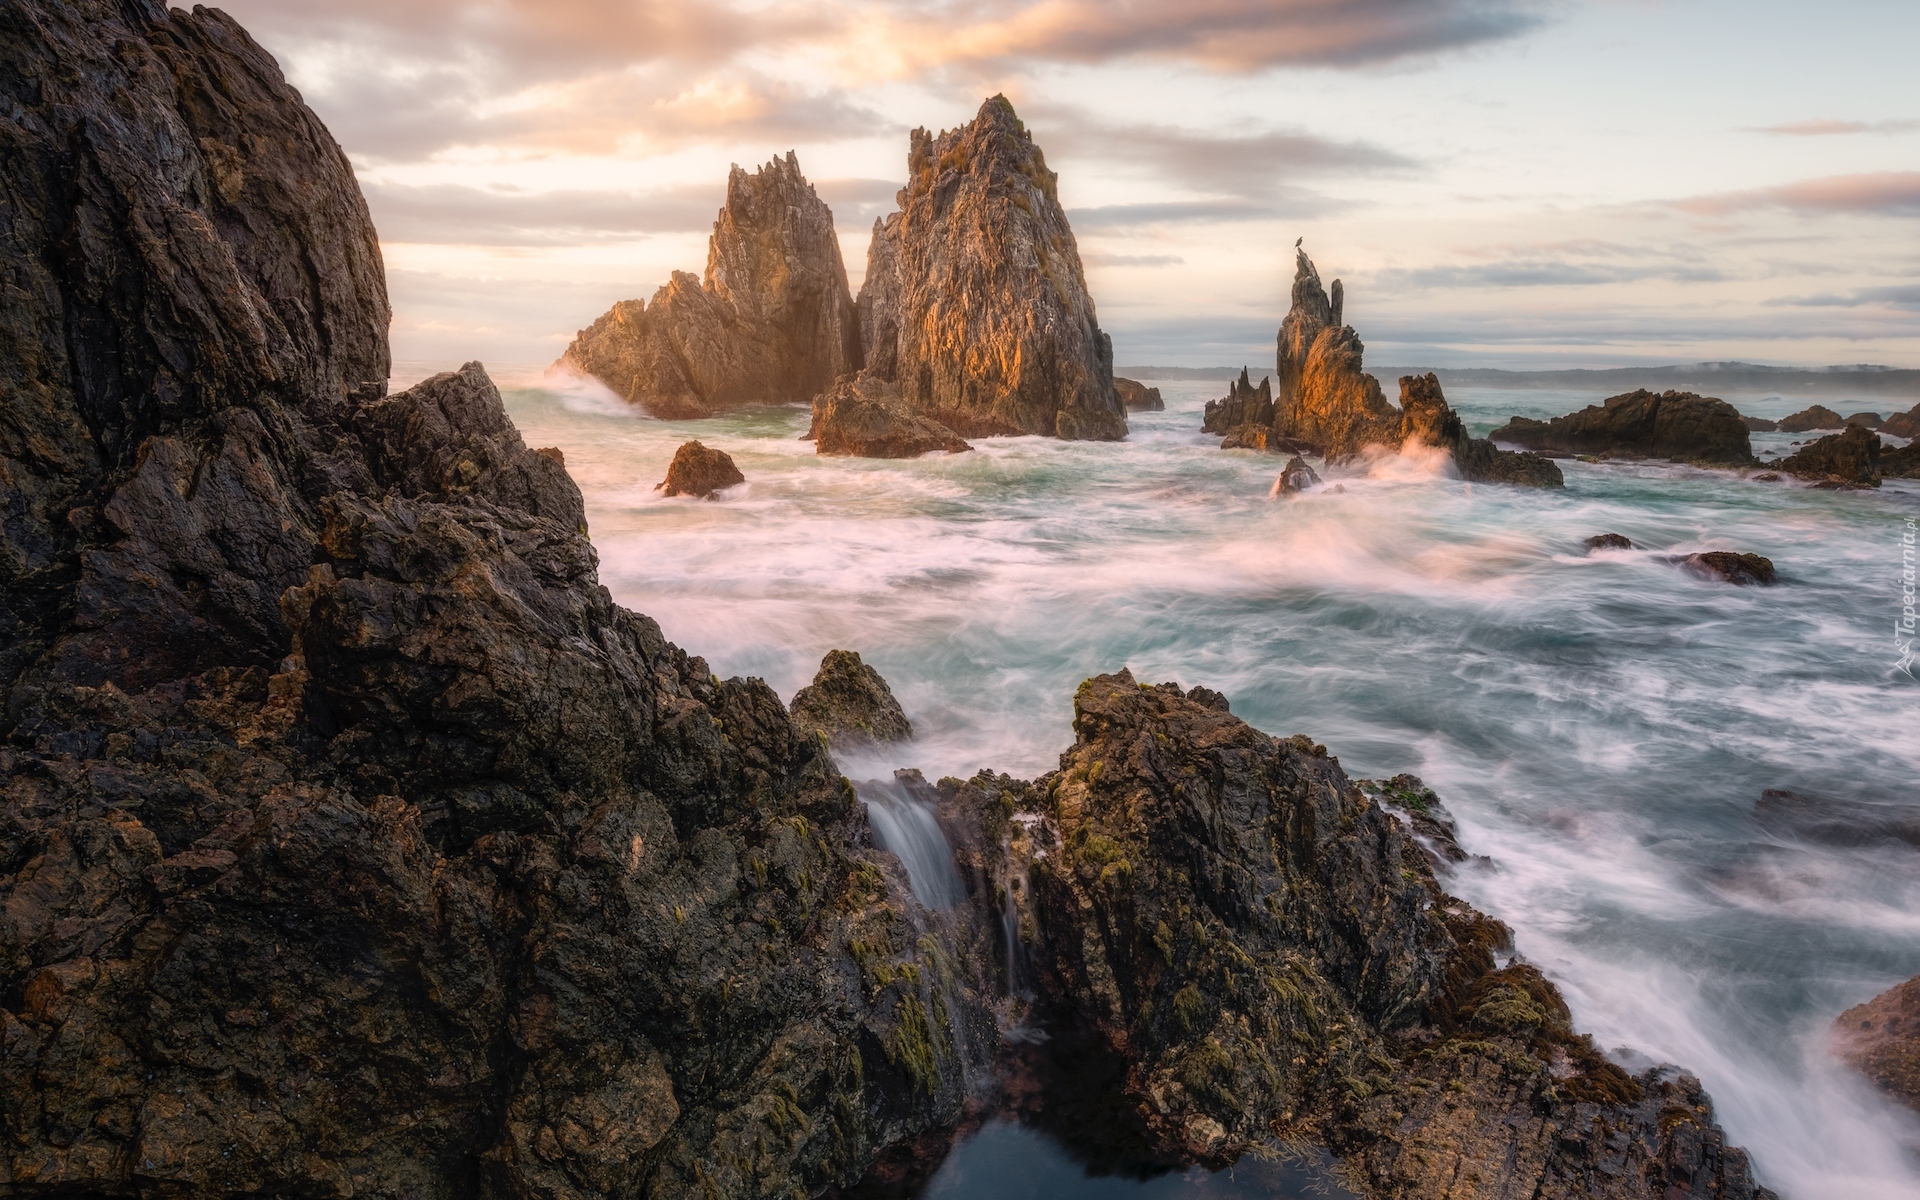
354 840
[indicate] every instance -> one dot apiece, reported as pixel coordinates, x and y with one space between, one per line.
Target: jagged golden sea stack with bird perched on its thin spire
1330 406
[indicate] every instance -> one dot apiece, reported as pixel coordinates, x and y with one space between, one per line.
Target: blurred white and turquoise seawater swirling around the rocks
1600 725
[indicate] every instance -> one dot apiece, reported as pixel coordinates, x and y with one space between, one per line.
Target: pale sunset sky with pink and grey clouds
1500 183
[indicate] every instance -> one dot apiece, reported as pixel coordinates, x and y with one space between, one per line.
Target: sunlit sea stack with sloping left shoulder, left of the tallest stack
771 324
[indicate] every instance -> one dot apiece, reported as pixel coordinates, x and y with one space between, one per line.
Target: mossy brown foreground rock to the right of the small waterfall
1266 957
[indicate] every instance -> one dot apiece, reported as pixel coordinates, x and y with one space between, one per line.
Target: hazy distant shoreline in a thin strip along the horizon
1692 377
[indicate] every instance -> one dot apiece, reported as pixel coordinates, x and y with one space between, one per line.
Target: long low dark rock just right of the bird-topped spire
1641 425
